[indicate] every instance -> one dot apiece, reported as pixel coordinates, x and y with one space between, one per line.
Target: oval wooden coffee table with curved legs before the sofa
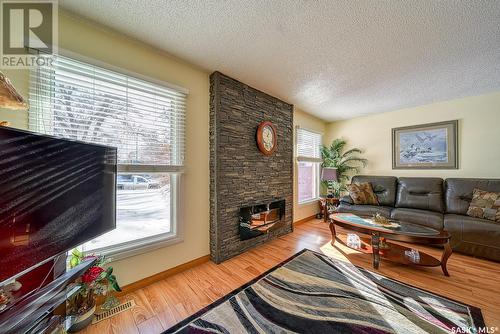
398 231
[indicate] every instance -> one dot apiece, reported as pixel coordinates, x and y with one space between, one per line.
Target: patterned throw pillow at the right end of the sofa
485 204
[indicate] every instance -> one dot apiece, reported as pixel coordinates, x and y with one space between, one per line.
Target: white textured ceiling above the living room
334 59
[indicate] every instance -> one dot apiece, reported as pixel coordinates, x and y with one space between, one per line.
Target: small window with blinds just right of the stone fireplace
308 164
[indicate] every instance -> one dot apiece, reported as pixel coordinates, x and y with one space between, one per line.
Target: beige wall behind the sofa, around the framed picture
478 131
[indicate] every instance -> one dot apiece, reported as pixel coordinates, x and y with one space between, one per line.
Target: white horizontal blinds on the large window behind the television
80 101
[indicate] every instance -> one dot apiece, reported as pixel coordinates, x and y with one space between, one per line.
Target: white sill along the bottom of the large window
137 247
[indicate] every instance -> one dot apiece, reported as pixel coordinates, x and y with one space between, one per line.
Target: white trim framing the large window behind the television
144 245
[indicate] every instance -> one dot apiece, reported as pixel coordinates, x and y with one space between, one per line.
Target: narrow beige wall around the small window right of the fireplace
306 121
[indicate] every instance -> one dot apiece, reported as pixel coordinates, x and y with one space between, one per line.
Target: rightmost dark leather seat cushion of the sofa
474 230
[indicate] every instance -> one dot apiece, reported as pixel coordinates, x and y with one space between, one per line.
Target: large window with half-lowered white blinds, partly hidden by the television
144 120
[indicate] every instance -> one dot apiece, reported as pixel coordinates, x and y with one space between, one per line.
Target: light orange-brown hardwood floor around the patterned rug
166 302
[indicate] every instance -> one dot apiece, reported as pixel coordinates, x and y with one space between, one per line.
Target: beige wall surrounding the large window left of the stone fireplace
93 41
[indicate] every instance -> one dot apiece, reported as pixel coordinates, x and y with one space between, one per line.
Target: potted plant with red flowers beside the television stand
96 281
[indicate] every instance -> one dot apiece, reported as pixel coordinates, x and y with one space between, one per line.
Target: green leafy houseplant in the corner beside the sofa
347 162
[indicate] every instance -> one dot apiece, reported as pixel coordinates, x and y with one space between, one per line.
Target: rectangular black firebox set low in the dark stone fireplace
261 218
